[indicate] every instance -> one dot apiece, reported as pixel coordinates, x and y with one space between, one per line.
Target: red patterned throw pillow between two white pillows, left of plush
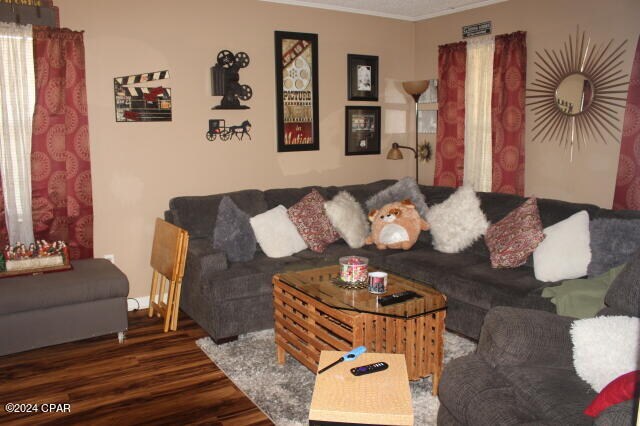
312 222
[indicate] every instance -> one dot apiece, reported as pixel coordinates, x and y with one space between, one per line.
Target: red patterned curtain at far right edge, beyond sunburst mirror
627 195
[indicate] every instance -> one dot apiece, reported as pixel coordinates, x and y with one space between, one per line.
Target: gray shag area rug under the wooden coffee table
284 392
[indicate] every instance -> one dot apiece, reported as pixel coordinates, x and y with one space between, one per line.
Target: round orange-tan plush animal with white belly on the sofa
396 225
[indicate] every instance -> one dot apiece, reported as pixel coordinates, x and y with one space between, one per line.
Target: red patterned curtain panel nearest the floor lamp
452 64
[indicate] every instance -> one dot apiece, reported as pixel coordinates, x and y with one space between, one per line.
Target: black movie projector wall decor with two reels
225 80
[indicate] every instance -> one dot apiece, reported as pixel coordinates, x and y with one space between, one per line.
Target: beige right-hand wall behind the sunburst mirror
590 177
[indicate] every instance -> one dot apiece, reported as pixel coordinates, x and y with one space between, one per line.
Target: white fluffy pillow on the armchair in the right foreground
604 348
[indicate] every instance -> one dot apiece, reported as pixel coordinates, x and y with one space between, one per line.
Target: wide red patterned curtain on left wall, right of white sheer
60 163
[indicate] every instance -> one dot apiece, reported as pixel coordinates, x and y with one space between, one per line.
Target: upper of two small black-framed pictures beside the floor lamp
362 71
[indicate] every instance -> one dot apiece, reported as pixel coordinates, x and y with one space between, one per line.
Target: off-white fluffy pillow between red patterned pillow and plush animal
347 216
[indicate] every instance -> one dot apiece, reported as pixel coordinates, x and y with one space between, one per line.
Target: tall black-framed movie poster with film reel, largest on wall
297 91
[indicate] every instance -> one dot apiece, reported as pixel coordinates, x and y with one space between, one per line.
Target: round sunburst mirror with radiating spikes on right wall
576 92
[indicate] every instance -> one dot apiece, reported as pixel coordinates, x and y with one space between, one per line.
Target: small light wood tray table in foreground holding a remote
379 398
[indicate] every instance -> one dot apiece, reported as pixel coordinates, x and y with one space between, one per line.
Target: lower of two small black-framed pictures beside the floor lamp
362 130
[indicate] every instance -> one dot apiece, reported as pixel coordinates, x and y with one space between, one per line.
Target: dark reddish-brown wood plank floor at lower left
153 378
